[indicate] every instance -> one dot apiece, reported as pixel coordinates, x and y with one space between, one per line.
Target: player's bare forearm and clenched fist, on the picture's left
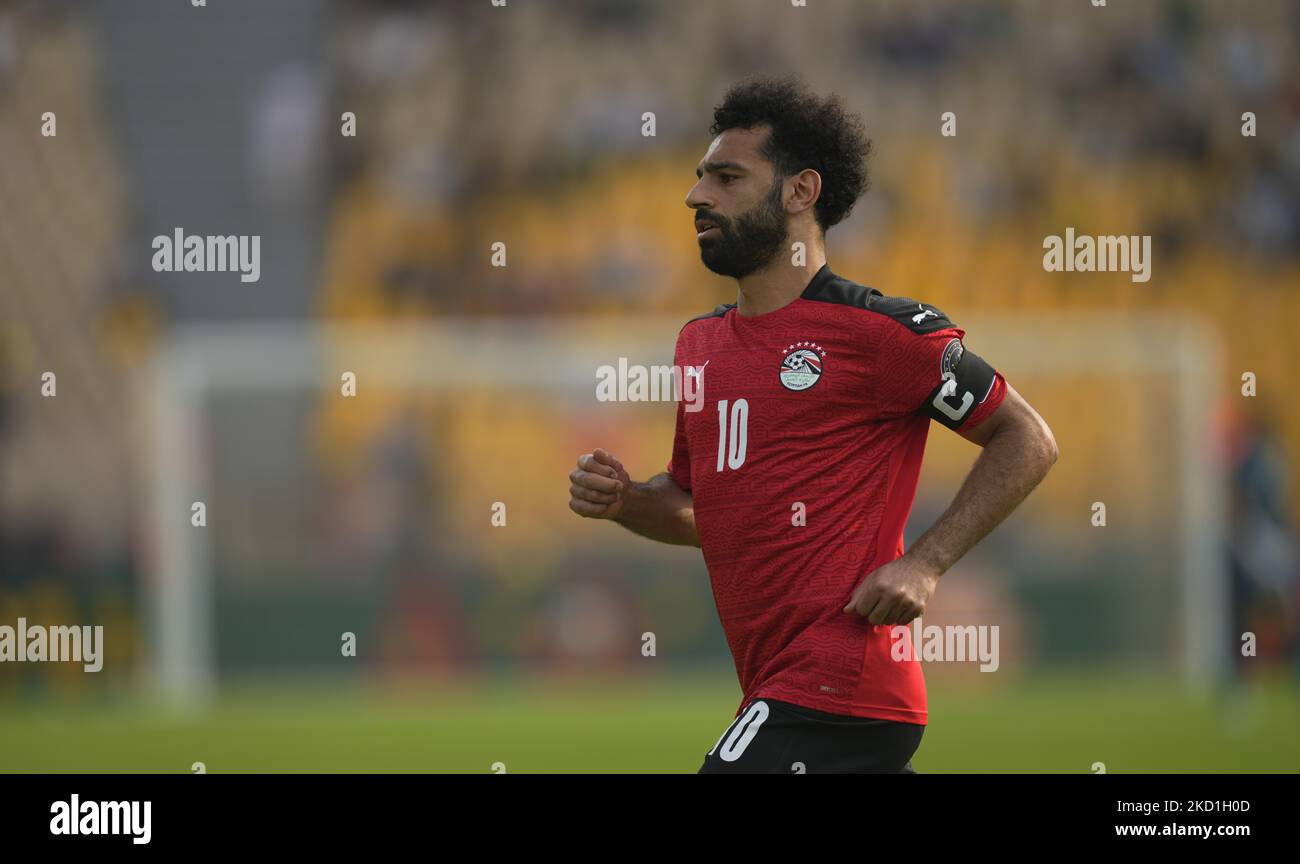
660 509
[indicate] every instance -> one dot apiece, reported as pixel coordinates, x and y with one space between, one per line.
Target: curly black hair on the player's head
807 132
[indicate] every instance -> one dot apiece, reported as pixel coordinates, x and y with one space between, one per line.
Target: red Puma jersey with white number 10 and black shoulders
803 464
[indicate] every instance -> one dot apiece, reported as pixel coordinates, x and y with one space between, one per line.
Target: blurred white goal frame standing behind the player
560 357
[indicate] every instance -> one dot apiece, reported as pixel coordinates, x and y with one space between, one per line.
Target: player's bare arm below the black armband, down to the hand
1019 449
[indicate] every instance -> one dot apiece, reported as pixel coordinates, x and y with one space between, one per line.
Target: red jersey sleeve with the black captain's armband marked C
934 374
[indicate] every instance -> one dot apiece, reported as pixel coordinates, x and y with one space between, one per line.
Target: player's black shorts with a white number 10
778 737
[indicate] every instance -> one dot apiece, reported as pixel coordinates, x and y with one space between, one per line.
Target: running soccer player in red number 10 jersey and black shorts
798 476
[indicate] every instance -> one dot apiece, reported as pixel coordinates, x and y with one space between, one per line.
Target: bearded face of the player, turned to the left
740 215
